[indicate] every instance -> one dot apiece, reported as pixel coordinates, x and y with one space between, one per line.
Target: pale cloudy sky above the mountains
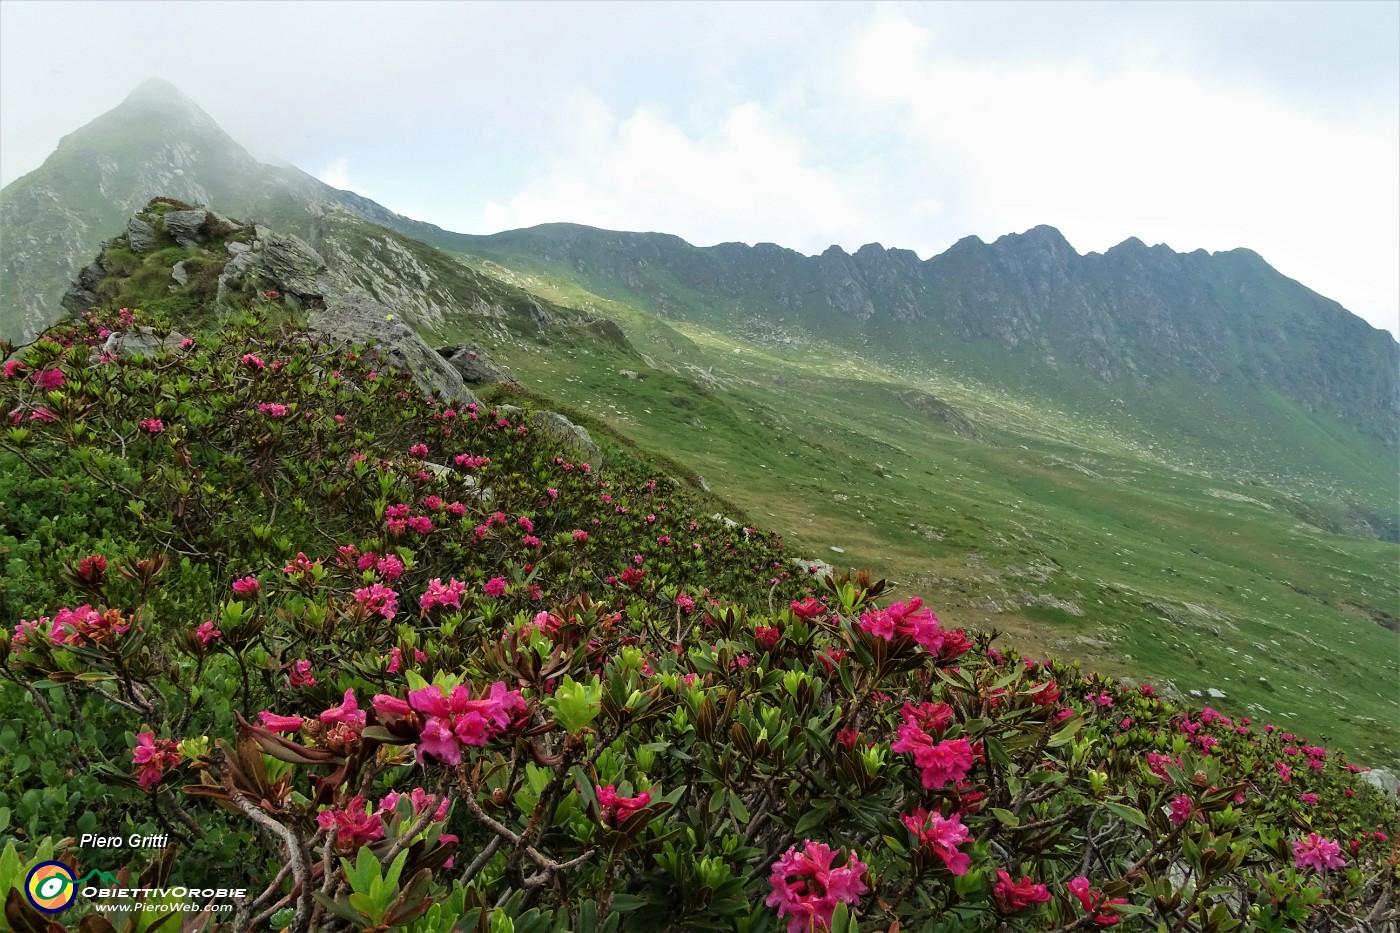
1200 125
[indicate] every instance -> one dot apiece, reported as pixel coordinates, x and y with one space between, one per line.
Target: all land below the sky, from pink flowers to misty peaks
360 575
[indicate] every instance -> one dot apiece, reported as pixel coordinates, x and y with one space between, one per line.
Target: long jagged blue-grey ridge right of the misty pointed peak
1133 315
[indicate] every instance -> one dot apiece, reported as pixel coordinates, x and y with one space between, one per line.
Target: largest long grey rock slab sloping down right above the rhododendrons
353 317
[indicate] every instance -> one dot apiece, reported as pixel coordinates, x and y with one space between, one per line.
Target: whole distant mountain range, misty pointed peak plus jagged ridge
1133 316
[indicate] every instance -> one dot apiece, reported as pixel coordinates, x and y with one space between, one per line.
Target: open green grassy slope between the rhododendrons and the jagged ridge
1072 533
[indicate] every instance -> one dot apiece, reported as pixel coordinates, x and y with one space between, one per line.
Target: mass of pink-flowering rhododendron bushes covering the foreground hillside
394 662
